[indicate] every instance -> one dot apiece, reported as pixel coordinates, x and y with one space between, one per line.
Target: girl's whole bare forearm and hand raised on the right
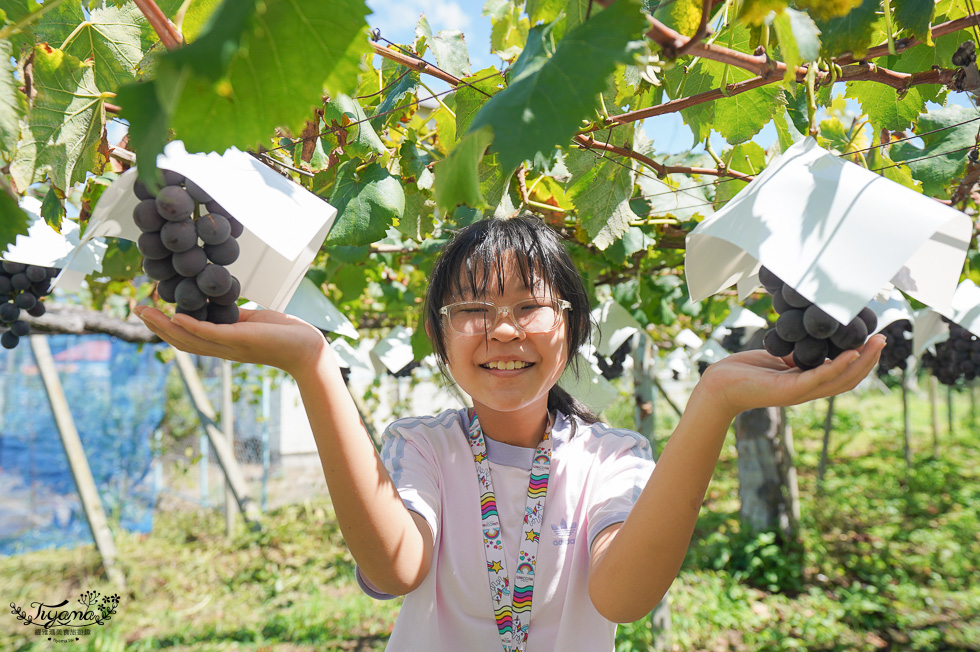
634 563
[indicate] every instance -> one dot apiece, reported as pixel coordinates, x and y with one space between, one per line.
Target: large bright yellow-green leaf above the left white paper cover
291 51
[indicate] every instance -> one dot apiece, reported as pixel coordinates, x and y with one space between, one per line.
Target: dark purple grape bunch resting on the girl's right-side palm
805 331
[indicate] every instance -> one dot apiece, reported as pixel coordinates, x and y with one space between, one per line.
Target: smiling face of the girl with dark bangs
540 356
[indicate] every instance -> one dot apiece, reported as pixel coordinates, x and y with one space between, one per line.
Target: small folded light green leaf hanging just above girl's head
457 176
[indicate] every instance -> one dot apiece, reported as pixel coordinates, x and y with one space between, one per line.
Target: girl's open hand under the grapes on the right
753 379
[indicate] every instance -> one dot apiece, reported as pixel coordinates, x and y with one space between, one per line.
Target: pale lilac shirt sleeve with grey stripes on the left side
411 464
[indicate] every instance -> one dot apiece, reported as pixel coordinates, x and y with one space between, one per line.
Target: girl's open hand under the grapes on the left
261 337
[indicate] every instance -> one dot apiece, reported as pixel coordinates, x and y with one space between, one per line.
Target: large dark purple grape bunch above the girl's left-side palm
187 240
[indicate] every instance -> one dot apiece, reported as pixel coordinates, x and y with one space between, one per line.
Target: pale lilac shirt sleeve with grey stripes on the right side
625 464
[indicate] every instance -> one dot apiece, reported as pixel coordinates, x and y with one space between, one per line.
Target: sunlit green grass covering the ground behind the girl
886 559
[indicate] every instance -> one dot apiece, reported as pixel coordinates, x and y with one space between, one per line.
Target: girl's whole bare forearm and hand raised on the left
392 546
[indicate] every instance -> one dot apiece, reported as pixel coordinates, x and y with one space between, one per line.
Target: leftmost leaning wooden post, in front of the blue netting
80 470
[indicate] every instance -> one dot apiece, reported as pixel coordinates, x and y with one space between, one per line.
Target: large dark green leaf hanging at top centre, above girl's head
543 105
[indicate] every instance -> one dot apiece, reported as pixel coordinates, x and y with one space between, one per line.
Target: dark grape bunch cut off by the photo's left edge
21 289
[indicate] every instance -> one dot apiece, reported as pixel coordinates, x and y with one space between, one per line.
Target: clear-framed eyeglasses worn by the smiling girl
530 315
